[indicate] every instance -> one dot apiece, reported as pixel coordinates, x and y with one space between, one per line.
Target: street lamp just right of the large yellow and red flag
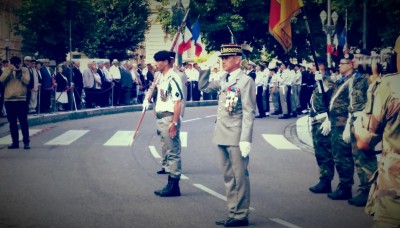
328 28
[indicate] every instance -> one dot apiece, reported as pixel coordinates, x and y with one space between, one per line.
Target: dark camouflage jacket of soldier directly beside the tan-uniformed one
358 91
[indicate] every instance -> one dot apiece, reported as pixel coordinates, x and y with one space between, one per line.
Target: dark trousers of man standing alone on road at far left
18 111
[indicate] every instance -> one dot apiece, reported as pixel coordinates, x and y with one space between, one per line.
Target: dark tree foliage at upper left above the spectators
100 28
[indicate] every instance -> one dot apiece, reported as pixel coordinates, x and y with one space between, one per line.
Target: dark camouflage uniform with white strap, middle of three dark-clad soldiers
338 114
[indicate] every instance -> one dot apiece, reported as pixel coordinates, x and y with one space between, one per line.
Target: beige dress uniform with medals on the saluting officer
236 111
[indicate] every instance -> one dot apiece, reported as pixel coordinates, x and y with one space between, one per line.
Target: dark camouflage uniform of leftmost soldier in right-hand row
322 144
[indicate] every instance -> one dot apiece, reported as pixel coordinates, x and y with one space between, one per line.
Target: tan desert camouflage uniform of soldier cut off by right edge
381 121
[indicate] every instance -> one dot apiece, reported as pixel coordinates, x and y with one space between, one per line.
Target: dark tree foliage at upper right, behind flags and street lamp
249 20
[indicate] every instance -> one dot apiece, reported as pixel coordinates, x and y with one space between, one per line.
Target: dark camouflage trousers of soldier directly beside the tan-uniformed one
365 162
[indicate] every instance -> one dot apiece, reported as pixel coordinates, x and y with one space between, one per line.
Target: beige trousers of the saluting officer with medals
237 181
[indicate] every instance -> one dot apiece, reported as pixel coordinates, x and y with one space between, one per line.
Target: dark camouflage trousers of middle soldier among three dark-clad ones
342 156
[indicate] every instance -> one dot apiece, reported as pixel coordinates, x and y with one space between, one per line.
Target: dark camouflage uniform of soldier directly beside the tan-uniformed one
365 162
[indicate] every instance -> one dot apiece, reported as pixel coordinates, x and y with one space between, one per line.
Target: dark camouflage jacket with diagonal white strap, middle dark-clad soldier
339 103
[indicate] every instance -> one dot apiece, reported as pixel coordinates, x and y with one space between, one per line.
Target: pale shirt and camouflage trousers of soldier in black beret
169 90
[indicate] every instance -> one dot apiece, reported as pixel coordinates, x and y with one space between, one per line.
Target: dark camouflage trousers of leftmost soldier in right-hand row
323 153
